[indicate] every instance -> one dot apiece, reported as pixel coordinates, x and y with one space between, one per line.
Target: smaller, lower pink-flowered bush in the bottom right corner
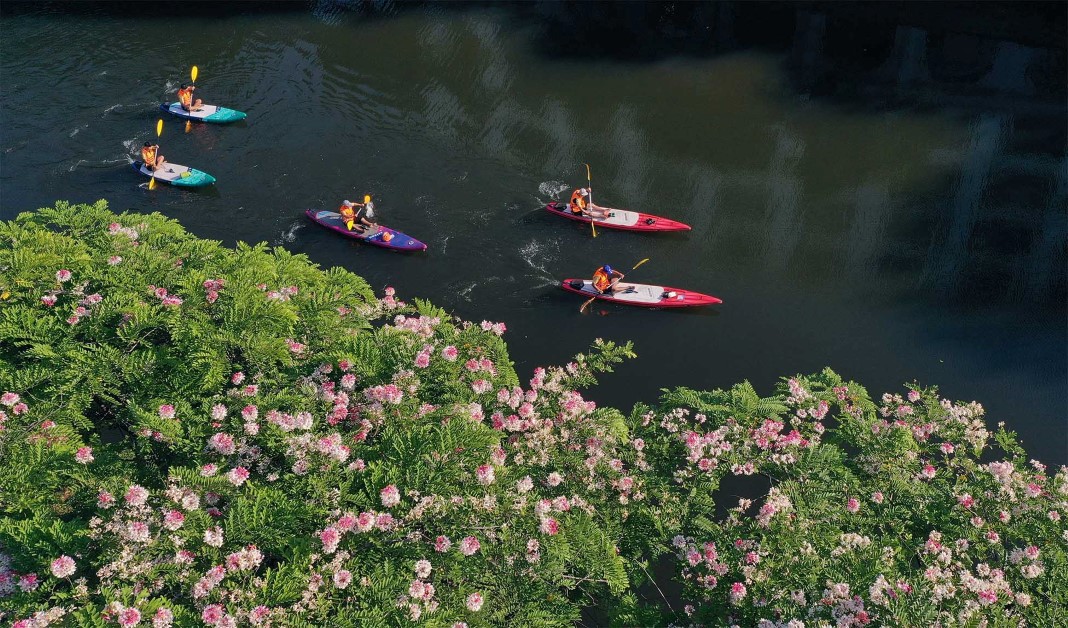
902 513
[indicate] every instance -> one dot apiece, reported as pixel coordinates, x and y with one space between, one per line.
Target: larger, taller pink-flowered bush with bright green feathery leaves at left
238 438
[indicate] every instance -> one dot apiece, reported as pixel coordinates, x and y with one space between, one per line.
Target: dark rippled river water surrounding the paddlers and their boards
881 191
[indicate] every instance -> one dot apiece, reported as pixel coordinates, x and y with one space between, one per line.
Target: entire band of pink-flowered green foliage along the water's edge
195 435
